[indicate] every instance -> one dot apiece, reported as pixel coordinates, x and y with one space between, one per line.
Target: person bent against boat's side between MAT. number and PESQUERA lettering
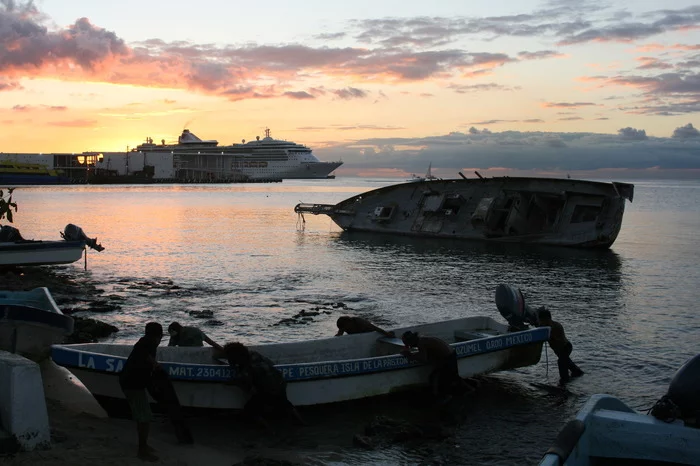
256 374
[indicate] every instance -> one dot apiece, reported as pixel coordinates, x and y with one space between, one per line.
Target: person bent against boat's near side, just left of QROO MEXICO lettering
434 351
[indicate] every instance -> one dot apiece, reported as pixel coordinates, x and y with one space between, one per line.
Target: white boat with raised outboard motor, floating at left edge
16 251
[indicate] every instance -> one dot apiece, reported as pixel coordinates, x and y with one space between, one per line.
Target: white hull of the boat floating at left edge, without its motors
25 253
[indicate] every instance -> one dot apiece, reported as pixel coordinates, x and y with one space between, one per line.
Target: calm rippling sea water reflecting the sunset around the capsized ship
237 252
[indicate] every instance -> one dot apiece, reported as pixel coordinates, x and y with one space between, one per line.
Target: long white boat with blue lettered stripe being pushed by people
319 371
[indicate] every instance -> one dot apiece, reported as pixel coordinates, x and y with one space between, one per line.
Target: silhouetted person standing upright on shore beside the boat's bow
134 380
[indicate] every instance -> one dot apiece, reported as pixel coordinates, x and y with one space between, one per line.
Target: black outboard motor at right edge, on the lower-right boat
682 401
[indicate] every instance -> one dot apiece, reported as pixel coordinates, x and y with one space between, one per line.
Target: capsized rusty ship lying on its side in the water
549 211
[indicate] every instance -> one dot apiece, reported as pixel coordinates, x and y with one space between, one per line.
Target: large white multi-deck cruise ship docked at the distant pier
265 159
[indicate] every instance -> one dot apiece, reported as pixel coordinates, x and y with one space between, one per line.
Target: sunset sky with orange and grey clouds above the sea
590 88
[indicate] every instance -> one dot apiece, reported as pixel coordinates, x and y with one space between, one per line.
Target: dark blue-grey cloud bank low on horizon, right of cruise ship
628 154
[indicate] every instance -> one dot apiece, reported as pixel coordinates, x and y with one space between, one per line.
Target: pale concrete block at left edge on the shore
22 404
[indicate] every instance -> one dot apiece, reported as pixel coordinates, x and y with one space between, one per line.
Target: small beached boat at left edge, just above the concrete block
30 322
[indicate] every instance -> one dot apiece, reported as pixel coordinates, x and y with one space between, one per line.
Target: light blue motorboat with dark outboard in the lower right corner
608 432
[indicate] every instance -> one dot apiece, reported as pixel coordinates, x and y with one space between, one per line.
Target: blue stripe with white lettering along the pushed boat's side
68 357
